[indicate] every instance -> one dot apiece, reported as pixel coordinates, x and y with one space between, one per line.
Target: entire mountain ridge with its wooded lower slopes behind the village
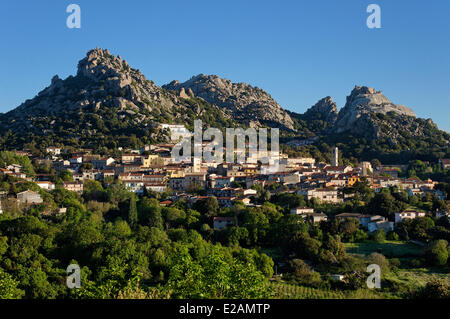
107 97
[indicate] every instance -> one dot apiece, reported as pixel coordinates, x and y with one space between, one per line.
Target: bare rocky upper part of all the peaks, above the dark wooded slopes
104 82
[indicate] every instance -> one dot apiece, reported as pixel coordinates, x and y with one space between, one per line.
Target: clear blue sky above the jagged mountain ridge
298 51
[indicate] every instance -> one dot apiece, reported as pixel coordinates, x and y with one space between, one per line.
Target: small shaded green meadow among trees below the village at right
390 249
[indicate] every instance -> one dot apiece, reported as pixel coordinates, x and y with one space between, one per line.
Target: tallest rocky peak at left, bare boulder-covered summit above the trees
102 80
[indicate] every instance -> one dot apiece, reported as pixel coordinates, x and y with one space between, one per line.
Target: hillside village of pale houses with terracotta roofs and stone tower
152 169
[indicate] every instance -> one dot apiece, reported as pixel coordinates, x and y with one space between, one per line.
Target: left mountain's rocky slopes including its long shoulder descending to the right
104 81
